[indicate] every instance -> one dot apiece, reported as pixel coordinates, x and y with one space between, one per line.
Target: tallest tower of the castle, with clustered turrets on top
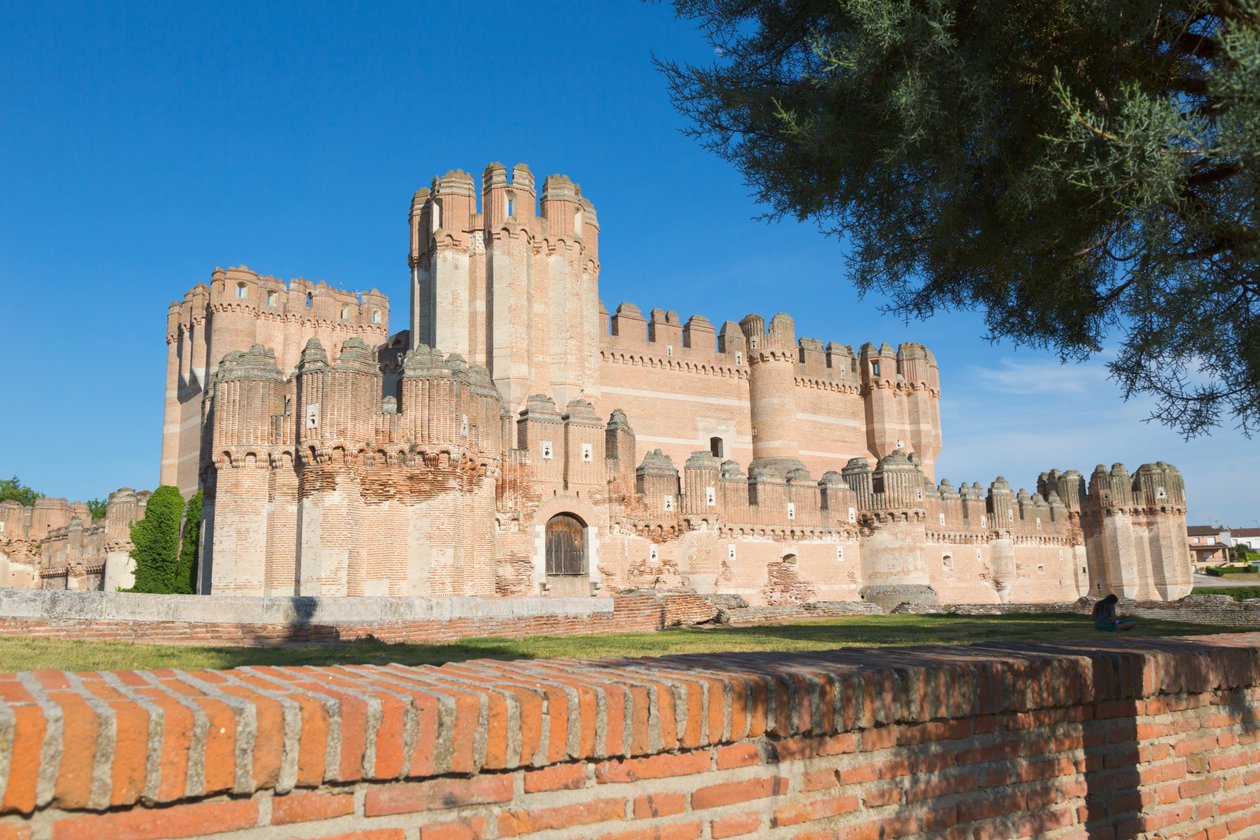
513 287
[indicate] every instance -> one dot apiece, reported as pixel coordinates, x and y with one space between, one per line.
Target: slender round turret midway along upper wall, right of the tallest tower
773 392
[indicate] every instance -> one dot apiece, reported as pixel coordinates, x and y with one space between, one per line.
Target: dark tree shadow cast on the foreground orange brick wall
1039 740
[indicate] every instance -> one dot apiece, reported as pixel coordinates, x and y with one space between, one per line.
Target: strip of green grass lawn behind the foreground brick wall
859 632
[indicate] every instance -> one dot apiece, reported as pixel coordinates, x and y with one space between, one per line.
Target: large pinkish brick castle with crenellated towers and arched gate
518 439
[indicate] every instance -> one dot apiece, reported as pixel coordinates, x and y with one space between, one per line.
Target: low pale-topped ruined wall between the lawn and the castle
287 620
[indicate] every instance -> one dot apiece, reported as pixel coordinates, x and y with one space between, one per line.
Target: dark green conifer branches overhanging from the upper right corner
1079 171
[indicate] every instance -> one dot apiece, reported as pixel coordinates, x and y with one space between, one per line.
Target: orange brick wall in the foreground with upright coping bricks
1126 739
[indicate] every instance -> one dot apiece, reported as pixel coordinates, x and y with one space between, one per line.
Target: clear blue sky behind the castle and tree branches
142 145
